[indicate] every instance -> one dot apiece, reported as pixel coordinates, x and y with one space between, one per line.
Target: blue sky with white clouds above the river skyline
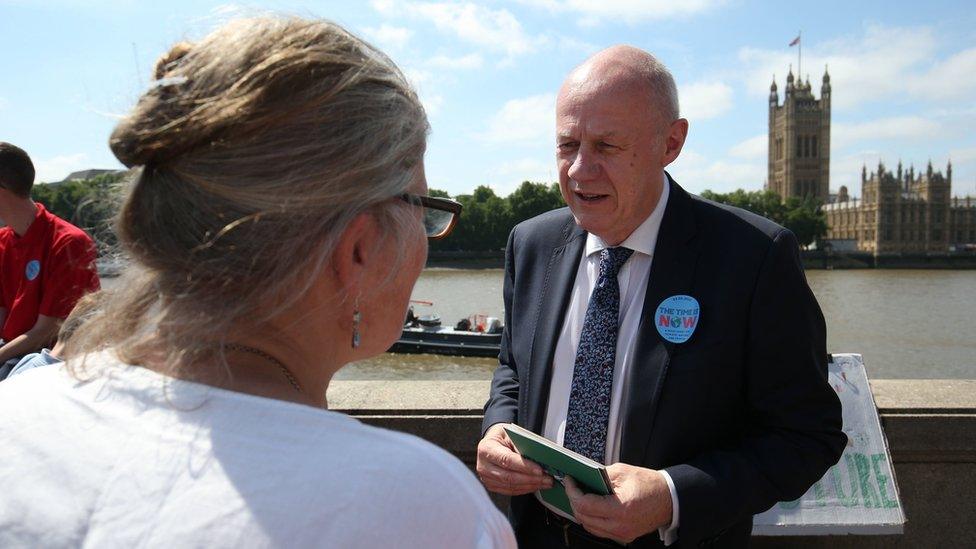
903 76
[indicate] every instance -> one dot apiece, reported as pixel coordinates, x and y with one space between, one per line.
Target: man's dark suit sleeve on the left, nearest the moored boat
502 405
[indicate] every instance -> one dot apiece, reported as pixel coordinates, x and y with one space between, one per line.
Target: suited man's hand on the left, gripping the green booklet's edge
503 470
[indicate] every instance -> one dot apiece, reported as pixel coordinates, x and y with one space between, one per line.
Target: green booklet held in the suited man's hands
559 462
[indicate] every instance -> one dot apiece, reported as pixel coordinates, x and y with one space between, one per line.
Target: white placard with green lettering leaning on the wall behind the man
859 495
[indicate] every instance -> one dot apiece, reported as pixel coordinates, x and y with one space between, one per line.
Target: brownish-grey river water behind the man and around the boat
906 323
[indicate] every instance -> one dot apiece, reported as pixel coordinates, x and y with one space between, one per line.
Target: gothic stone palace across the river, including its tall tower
900 211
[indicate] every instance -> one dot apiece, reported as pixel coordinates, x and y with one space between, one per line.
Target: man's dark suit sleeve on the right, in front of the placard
794 423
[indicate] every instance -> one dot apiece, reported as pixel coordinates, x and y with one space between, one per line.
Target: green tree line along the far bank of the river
485 221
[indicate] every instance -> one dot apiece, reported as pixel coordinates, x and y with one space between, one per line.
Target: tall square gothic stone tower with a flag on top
799 140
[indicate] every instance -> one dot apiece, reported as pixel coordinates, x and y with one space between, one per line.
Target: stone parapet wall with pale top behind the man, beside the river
930 425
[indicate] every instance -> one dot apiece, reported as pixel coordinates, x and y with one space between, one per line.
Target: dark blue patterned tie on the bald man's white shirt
589 397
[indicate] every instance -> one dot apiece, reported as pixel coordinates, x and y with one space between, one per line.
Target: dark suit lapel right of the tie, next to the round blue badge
672 273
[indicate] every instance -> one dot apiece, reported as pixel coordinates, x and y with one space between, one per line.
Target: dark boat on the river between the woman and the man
478 335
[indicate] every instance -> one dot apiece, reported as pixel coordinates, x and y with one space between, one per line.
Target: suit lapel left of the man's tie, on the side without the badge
553 302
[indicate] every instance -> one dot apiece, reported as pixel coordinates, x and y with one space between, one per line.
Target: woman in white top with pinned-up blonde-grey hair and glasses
276 224
